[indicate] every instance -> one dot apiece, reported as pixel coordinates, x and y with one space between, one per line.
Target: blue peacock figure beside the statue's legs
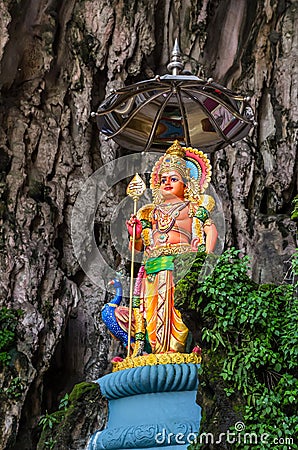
116 317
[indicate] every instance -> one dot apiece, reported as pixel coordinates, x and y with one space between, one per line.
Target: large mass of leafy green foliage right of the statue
252 331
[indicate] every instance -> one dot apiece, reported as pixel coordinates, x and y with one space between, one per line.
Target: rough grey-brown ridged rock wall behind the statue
59 59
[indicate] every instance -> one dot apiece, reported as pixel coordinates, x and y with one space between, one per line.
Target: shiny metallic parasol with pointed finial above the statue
196 112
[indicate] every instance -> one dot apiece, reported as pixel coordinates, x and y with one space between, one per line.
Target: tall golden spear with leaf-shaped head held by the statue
134 189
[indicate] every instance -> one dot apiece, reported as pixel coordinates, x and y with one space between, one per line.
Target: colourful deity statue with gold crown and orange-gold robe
178 221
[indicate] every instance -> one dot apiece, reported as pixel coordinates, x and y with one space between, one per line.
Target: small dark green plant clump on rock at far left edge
8 324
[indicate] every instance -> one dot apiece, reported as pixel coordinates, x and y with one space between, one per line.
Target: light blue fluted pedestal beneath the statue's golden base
150 407
